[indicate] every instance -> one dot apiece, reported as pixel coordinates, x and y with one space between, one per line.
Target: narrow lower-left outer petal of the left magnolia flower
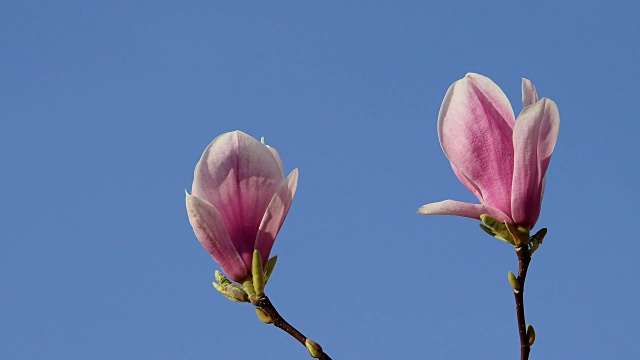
210 230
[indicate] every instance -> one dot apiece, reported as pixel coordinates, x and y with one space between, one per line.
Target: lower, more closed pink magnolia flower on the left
239 200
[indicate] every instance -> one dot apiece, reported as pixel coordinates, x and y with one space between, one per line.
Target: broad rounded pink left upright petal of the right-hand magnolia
475 127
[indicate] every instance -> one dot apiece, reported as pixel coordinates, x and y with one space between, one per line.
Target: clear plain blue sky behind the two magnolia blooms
105 108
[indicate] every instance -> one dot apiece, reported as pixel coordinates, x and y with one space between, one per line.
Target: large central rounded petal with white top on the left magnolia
238 175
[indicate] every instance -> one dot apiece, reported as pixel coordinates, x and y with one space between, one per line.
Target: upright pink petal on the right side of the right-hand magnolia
534 138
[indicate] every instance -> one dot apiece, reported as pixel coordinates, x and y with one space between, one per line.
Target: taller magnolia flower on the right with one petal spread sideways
501 160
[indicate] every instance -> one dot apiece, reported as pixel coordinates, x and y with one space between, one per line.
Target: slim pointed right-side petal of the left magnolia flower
275 214
